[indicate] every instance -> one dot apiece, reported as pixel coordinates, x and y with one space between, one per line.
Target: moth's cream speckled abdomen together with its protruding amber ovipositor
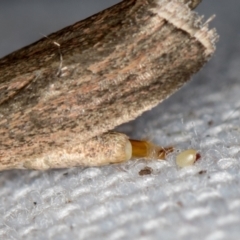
108 148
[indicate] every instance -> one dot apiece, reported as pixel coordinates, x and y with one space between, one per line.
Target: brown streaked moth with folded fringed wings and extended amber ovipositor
61 96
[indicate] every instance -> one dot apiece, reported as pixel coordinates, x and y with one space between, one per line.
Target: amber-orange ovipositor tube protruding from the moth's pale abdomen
146 149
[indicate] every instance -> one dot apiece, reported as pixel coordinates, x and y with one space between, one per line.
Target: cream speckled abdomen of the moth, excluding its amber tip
107 148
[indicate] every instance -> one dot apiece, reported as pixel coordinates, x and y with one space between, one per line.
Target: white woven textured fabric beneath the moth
115 202
